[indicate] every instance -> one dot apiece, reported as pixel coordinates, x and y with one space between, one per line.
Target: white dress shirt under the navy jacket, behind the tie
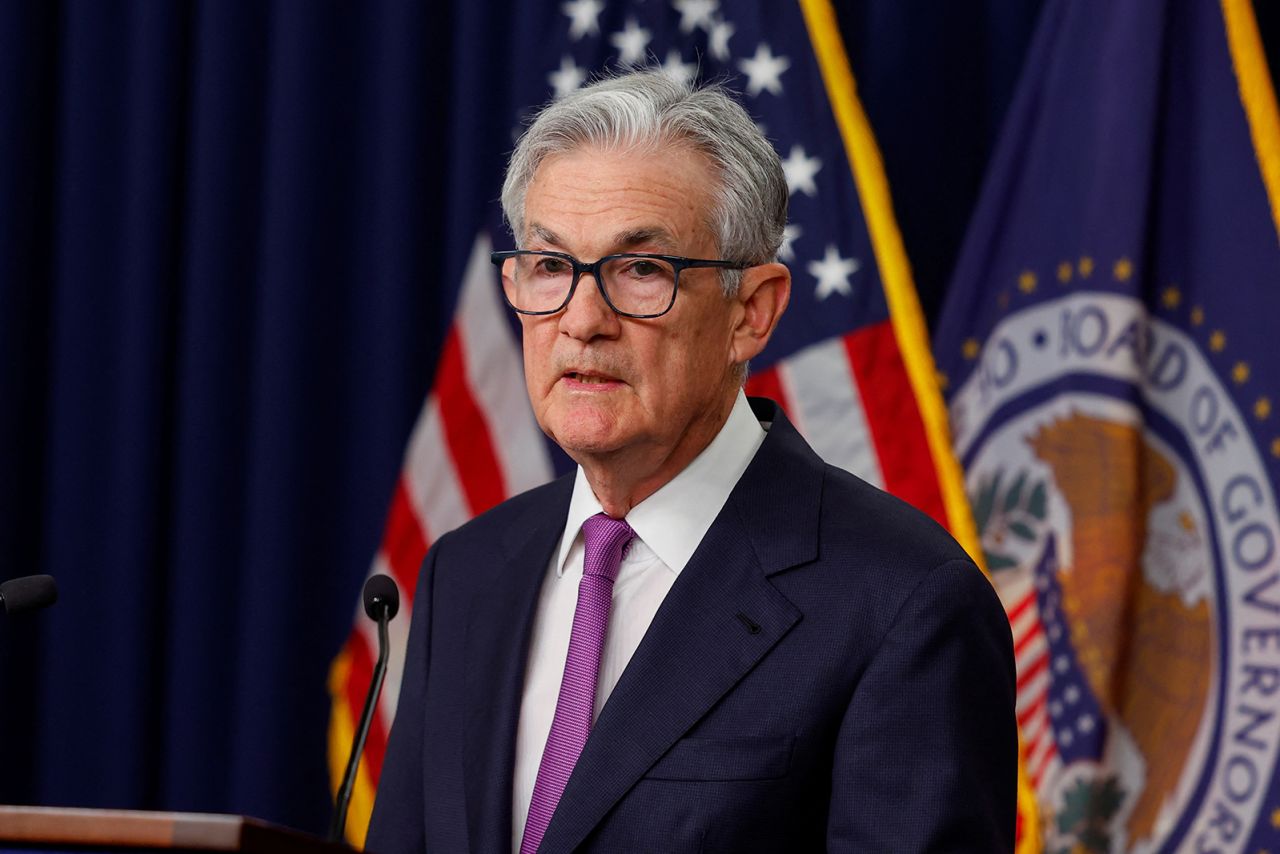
669 524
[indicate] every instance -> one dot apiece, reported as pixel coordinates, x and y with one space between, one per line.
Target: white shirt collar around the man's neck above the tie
674 520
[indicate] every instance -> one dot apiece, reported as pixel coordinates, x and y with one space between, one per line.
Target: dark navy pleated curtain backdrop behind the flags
221 308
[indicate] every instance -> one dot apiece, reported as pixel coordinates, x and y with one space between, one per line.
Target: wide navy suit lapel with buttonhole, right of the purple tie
700 646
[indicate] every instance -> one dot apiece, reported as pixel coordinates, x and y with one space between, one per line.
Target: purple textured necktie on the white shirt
606 540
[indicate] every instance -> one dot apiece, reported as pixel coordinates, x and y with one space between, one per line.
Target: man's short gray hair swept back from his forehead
650 111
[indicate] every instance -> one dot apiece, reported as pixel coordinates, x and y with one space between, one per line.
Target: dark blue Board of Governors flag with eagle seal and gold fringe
1112 354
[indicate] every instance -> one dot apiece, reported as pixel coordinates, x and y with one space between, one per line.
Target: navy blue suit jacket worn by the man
829 673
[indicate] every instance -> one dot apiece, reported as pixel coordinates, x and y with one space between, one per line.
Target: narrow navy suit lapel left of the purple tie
497 651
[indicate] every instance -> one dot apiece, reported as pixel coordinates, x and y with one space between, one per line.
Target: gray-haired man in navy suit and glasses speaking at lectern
706 640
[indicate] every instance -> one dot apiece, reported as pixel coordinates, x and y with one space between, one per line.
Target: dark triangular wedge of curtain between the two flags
936 81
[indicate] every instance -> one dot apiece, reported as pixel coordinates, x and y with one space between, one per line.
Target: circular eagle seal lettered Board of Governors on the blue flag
1132 533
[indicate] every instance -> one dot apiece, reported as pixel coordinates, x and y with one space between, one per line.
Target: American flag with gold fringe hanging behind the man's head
851 362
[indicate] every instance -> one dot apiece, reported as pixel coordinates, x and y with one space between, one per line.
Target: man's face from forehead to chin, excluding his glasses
604 386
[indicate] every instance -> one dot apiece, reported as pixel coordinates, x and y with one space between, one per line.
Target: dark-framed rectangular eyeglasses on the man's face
636 285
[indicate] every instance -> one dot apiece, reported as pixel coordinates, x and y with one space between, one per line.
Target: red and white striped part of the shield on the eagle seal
1032 657
